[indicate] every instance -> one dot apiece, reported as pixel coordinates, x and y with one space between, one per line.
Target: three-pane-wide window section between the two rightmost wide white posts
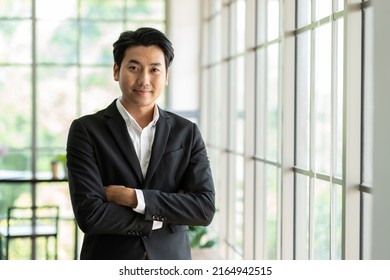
319 129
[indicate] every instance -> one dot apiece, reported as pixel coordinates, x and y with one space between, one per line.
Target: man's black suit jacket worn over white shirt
100 153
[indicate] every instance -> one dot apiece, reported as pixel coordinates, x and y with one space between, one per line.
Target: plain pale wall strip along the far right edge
381 197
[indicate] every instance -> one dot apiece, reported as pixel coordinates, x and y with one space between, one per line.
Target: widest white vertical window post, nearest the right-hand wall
352 132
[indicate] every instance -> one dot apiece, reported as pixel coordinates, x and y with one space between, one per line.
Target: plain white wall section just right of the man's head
183 29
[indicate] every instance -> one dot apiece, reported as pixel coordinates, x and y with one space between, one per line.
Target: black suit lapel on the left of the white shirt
117 126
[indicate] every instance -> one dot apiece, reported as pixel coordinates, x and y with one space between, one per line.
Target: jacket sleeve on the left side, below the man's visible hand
93 213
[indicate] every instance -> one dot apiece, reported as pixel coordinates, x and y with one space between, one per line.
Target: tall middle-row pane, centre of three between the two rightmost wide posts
323 119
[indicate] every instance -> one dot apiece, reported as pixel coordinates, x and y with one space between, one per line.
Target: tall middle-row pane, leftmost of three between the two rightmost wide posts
303 101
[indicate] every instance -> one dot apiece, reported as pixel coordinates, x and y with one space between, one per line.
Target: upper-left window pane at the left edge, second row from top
13 47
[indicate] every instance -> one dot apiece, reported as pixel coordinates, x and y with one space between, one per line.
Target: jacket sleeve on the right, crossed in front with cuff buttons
195 205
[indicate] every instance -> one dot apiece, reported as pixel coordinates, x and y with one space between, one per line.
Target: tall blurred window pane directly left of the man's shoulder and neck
57 89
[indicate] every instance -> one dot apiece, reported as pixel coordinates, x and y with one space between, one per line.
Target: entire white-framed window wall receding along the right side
282 99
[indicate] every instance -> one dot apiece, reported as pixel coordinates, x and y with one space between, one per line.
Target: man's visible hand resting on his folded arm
121 195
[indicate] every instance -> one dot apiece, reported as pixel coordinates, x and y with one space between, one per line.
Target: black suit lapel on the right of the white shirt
160 141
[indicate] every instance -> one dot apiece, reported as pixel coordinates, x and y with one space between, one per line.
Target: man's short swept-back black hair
144 36
